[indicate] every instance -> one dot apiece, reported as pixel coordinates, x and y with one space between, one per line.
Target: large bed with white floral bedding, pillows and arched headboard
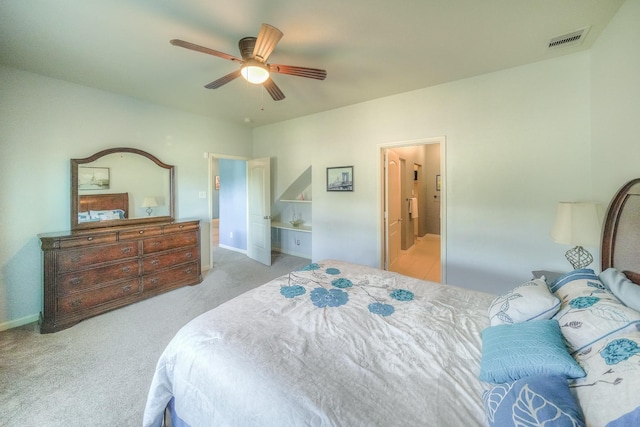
338 344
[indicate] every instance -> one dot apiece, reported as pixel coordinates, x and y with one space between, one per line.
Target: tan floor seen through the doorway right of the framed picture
422 260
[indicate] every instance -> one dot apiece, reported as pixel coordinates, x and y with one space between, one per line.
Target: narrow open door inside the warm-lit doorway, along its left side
393 207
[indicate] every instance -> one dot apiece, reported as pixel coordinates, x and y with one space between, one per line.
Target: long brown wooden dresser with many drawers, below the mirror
90 272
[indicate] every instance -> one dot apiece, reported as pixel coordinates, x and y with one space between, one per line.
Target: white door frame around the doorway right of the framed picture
442 140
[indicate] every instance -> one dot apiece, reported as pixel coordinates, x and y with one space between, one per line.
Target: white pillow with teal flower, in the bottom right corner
609 394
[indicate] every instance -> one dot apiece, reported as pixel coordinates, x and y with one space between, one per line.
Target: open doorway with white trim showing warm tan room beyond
413 207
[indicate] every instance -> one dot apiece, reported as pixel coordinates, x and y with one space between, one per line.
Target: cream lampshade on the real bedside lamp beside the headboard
577 223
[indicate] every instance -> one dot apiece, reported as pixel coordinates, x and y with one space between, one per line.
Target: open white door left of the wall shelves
259 208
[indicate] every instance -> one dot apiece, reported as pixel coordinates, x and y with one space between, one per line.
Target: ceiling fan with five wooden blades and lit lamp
253 65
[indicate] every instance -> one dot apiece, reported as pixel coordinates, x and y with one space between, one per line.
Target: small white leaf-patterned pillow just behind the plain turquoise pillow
529 301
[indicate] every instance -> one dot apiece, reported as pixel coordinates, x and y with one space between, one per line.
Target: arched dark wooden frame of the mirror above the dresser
75 200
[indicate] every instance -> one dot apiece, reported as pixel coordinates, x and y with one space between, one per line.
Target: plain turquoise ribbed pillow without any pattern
511 352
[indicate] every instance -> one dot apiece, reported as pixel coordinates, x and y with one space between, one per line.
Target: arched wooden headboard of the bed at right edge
621 235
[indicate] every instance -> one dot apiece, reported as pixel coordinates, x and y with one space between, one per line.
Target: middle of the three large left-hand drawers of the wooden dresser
87 279
